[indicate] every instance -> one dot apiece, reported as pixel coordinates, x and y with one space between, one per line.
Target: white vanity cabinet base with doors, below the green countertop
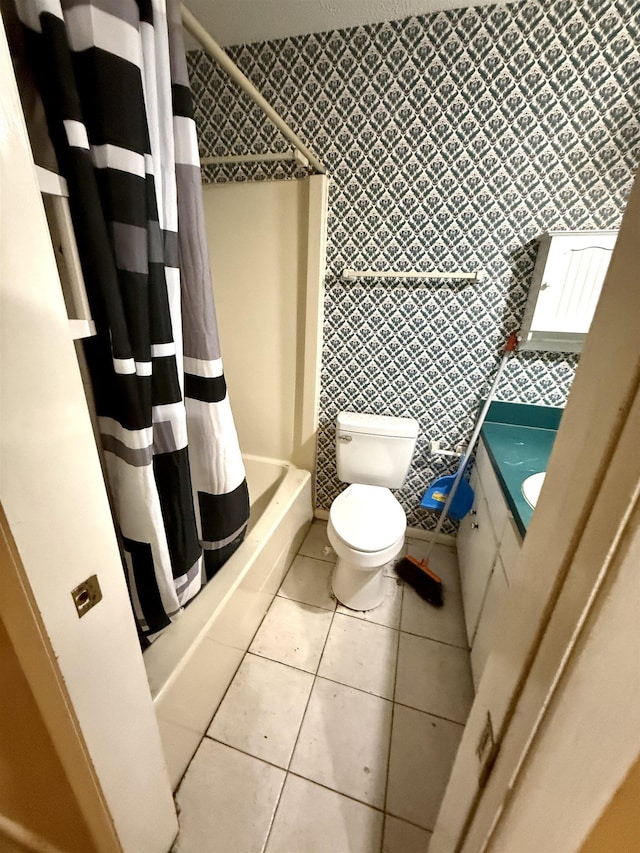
488 546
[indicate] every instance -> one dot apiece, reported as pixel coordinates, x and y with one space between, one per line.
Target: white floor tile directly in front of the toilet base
362 655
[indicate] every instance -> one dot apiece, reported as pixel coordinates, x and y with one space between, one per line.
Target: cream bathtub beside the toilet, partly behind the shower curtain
190 666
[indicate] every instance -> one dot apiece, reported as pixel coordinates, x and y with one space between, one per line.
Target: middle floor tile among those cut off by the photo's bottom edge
311 819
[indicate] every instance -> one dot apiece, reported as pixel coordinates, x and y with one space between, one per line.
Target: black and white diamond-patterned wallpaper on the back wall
453 140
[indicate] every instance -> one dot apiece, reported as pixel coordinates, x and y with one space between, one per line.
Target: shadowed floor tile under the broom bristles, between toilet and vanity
444 623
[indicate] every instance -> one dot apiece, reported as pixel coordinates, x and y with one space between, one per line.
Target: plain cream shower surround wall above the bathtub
257 237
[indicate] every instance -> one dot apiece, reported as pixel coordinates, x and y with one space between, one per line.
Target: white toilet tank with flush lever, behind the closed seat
375 450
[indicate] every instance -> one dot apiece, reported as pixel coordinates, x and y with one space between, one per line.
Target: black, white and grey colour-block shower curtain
113 80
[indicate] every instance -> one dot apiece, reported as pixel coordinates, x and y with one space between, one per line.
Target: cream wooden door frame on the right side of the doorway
582 502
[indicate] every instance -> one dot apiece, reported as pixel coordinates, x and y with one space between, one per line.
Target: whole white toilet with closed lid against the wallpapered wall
366 522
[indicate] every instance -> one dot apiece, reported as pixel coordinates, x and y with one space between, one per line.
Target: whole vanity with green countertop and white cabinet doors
515 444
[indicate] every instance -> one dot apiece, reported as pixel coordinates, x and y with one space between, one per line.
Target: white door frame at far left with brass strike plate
86 674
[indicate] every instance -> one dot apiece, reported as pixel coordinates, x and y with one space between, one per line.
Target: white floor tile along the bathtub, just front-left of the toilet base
293 633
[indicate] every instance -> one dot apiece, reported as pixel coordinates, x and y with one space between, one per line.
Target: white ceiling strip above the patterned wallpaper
245 21
